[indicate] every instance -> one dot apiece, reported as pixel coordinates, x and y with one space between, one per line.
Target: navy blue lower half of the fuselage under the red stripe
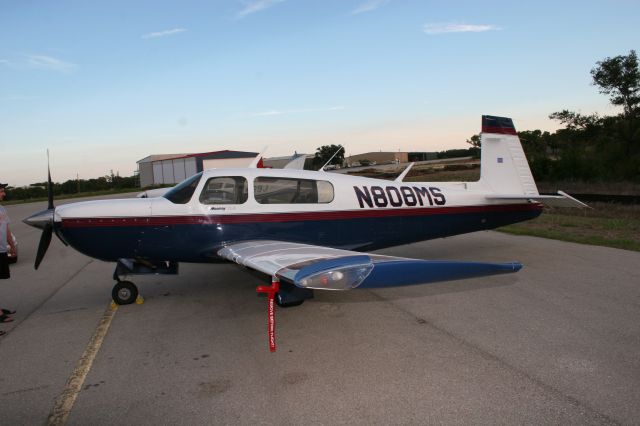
200 242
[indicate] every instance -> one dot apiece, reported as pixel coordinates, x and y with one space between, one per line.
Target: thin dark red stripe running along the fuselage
289 217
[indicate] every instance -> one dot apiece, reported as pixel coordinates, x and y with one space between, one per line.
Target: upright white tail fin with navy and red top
503 166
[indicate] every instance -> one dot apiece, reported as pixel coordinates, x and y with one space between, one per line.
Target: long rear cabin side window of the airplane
273 190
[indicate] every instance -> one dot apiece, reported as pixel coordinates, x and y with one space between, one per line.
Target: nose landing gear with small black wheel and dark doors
126 292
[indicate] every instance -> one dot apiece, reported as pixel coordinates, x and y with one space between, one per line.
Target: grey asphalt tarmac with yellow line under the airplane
556 343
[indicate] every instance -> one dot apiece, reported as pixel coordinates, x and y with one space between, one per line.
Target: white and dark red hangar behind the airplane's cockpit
163 169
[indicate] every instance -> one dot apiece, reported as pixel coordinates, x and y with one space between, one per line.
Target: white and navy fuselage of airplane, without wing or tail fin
353 213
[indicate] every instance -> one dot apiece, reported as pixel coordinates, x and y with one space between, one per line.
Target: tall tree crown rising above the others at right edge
619 78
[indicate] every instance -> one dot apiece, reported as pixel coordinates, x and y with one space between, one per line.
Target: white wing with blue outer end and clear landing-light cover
323 268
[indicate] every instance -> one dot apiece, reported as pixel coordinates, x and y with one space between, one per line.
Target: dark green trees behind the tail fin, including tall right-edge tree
590 147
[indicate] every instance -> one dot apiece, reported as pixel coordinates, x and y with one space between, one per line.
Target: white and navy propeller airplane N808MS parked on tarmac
307 230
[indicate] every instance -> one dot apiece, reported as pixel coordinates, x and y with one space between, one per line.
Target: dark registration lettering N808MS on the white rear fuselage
411 196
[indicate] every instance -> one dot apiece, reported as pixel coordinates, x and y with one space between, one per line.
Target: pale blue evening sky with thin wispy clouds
102 85
